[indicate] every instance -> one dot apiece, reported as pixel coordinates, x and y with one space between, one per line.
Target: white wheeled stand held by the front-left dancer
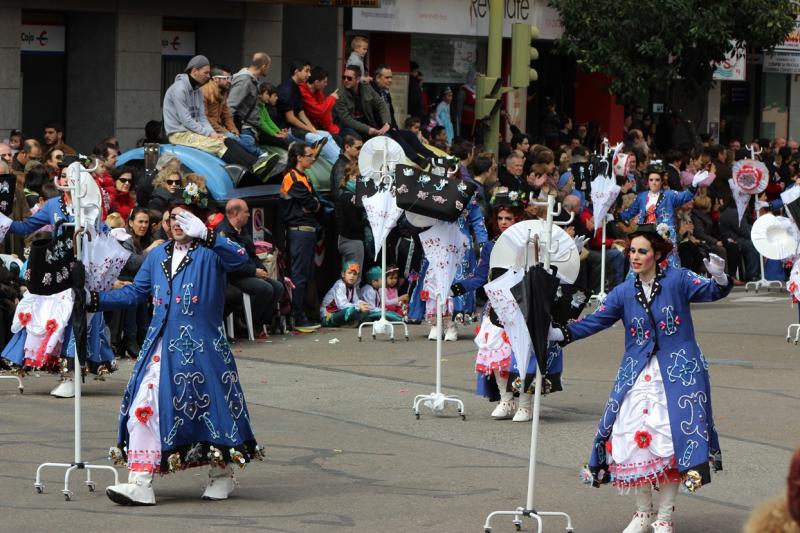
77 192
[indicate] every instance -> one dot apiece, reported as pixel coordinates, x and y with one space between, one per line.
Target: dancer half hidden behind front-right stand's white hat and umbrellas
497 373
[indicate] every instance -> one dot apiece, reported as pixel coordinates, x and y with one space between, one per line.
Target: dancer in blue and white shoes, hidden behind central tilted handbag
470 223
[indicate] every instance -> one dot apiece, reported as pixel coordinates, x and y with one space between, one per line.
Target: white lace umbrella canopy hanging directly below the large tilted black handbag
444 247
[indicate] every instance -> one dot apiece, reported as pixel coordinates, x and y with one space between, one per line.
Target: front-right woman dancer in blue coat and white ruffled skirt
657 430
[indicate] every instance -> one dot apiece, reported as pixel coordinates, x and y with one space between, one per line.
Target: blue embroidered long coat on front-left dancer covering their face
200 403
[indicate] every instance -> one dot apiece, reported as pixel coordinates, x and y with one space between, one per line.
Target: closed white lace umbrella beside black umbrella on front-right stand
508 311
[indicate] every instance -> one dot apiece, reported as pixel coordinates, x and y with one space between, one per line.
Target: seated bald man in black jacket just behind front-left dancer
251 278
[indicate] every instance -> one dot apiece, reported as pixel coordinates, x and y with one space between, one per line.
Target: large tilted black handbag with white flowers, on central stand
431 193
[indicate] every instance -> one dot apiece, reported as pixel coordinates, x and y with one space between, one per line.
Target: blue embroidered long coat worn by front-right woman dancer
662 328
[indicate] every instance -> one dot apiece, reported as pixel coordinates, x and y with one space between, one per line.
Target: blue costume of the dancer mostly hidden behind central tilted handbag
470 222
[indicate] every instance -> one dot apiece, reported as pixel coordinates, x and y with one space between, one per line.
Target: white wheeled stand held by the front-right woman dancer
529 510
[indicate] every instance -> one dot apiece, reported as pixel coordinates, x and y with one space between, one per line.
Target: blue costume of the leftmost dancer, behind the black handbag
100 356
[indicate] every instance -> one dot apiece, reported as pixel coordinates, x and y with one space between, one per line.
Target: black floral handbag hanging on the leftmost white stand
51 262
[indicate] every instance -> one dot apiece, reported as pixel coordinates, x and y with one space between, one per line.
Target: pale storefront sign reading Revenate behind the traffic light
456 17
